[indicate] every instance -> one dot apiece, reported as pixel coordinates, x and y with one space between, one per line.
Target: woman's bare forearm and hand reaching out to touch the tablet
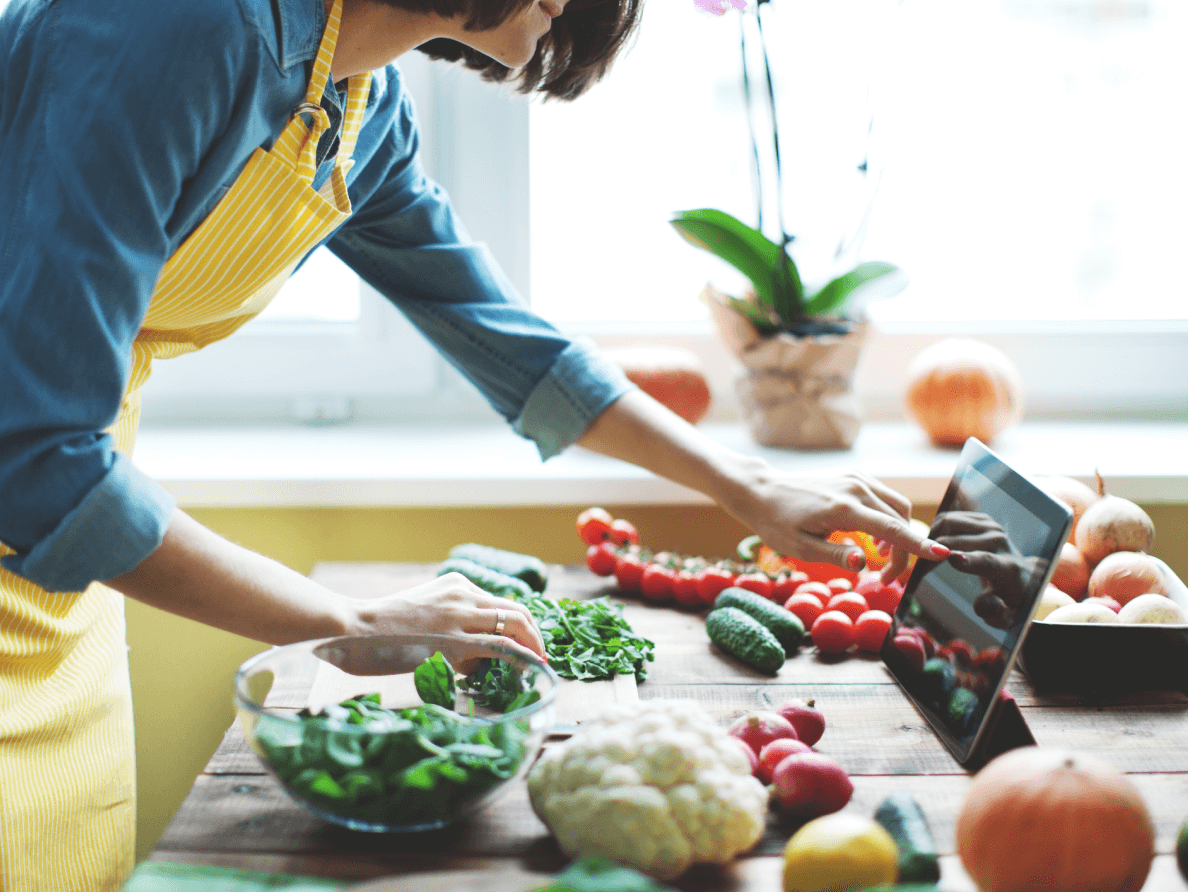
793 515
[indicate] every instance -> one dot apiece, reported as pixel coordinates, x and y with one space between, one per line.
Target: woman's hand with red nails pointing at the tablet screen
797 516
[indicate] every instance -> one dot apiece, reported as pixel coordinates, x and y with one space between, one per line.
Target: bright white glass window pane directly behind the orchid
1026 156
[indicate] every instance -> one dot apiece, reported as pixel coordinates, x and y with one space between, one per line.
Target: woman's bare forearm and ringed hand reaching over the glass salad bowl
200 575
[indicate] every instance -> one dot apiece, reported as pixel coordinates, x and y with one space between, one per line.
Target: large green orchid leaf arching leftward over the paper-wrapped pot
747 250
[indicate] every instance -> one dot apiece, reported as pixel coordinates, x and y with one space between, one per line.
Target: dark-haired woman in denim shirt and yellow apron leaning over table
167 168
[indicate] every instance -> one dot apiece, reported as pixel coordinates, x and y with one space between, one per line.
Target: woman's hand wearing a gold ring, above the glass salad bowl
453 606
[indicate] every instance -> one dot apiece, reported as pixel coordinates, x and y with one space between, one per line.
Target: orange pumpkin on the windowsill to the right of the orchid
959 389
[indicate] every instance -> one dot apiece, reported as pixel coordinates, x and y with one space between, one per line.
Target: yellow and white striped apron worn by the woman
67 757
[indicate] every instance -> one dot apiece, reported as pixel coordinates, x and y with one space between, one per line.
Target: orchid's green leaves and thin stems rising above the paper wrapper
780 301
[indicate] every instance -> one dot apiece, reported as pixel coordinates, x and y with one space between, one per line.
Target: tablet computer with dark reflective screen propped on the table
960 622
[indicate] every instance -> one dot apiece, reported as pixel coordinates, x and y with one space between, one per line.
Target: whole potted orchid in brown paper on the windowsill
799 345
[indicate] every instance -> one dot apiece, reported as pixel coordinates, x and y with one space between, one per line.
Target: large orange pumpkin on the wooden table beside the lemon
1054 820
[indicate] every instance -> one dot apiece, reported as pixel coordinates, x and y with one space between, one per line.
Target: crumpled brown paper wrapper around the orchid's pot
797 393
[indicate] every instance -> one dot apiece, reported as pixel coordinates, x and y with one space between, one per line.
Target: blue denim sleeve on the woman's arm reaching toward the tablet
406 241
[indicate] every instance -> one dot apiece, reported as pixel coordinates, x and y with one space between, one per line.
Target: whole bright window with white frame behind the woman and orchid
1021 156
